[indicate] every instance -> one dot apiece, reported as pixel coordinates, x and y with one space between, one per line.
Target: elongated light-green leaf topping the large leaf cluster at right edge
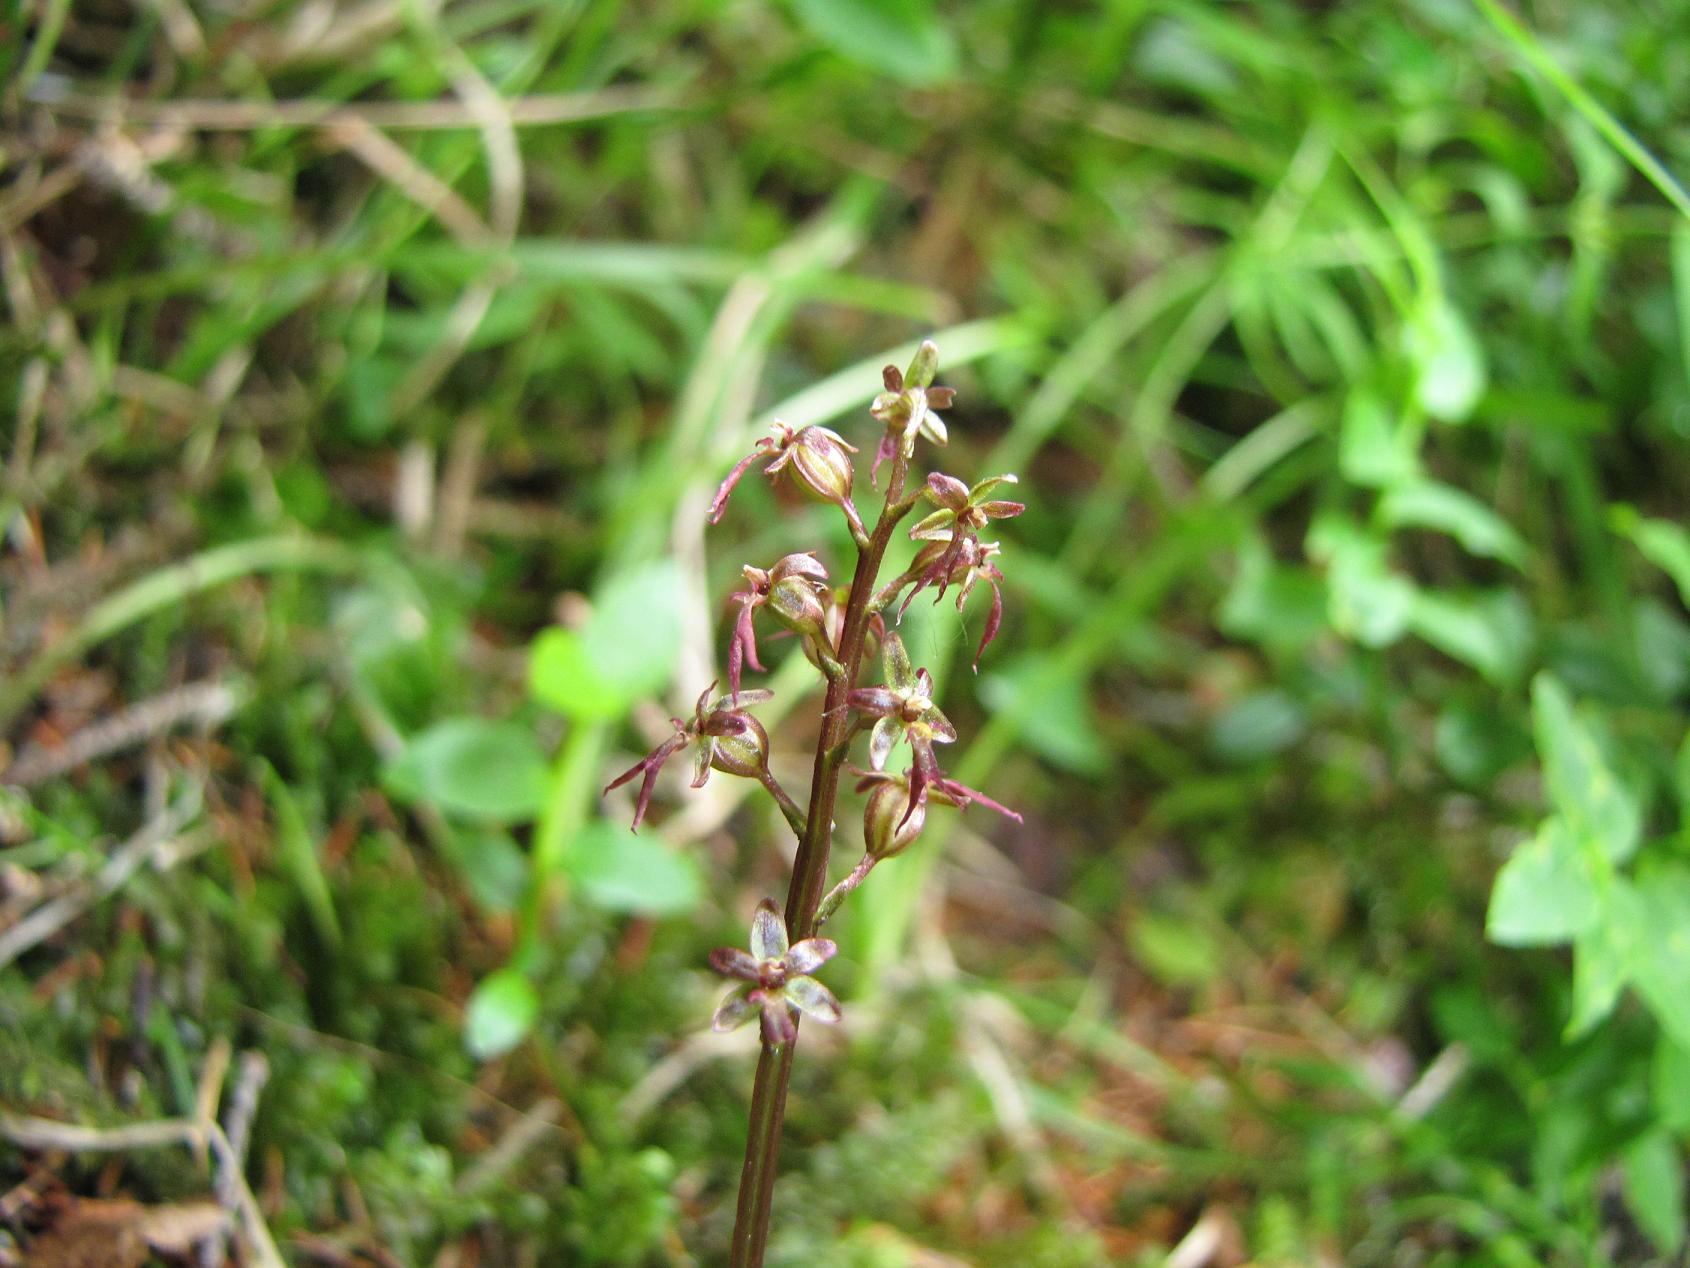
1581 785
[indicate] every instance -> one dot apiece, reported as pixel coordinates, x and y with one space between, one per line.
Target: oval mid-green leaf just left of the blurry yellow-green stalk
474 768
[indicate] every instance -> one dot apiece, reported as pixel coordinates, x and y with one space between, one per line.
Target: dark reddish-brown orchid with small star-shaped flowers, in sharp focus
841 628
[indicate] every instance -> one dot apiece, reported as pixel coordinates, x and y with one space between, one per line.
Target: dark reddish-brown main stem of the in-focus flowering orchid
810 875
